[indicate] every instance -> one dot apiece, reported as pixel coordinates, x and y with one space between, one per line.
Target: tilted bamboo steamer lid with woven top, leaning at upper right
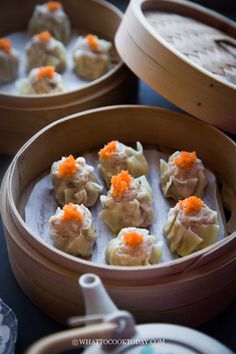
186 53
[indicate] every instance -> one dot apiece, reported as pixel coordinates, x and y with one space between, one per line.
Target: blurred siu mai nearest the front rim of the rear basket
41 81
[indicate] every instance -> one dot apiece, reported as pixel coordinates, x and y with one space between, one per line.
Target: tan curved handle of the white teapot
68 339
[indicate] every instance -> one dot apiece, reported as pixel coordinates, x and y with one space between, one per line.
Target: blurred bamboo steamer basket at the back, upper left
21 117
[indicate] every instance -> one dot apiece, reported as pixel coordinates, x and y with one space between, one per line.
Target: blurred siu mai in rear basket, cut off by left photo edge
9 61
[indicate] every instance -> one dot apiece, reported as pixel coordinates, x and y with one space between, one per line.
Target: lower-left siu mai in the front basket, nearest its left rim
72 231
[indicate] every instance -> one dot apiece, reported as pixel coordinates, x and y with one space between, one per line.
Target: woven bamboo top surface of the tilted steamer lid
202 44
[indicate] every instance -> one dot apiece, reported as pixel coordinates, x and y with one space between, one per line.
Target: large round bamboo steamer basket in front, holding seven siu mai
188 290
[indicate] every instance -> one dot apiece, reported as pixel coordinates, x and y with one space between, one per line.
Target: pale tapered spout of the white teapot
96 298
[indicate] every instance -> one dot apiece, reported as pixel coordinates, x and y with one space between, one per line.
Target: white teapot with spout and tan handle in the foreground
109 330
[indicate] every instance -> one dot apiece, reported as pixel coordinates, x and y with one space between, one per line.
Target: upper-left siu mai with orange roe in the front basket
74 181
